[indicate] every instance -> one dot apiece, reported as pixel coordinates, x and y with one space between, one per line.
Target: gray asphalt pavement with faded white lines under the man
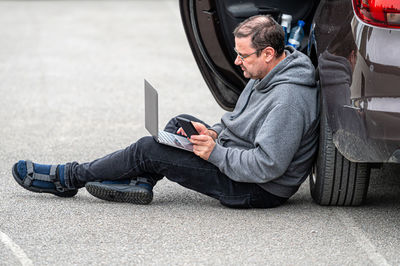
71 82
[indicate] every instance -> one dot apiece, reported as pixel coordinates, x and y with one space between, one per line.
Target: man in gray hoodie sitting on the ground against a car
257 157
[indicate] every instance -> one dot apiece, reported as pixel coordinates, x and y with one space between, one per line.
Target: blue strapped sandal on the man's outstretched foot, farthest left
27 181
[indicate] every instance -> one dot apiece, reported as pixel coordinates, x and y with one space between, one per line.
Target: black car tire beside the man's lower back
336 181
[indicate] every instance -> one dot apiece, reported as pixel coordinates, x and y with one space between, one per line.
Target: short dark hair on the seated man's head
264 32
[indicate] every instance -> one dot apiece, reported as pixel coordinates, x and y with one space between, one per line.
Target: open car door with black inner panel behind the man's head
209 25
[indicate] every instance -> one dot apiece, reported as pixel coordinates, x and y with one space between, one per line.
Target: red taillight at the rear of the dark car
382 13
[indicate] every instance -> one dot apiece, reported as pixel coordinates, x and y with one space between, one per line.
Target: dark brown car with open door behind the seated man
354 46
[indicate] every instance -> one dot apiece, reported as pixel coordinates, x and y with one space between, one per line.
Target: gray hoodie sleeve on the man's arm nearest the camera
275 144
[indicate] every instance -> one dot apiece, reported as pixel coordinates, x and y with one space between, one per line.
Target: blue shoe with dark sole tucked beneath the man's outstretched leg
137 191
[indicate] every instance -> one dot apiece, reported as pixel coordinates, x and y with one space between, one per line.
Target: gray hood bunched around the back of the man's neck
293 69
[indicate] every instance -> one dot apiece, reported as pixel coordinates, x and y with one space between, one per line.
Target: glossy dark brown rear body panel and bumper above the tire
359 76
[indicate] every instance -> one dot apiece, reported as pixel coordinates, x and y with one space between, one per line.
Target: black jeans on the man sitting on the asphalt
152 160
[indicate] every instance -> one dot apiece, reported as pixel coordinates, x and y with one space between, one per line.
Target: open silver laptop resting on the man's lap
151 121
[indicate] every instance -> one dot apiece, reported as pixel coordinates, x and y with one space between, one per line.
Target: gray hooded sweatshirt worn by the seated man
270 137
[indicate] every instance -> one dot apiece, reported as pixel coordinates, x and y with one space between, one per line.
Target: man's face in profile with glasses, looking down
253 66
